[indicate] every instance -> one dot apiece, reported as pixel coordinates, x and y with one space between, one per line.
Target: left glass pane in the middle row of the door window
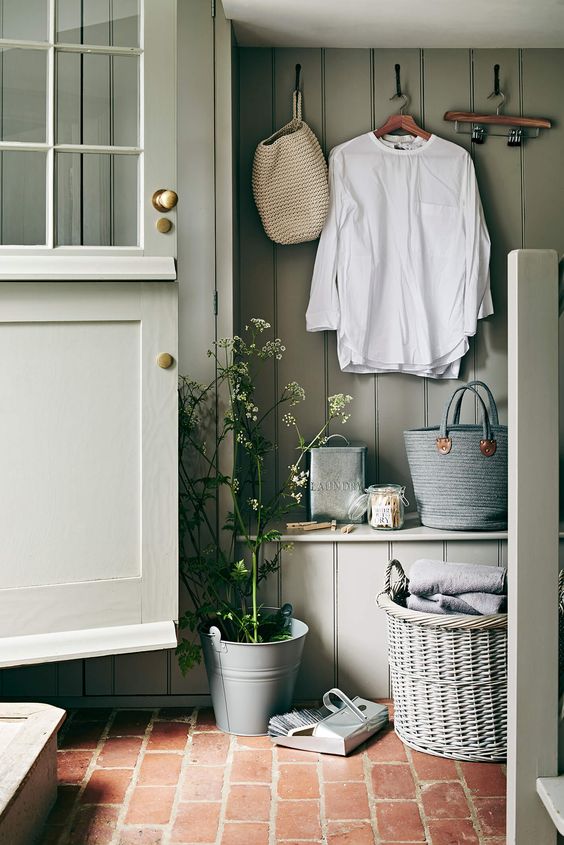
23 95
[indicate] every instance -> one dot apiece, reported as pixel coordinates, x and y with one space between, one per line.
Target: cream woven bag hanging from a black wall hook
290 184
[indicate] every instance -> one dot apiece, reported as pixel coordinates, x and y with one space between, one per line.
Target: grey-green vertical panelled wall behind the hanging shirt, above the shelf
346 93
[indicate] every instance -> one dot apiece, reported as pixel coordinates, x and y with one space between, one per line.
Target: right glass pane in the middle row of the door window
97 99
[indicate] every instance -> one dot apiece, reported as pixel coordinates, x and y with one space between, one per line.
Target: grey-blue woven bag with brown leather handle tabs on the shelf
459 471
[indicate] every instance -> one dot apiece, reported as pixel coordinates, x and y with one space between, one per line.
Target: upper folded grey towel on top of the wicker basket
429 577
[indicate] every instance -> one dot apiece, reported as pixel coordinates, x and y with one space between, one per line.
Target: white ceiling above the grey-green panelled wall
397 23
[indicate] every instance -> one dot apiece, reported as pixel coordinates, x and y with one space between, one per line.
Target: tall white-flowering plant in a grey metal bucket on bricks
252 653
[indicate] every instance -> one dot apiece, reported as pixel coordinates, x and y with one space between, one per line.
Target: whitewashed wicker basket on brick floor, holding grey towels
449 677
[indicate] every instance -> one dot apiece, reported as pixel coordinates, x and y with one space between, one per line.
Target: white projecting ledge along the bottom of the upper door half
87 268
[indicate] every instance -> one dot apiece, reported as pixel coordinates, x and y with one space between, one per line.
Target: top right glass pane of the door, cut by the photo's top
105 22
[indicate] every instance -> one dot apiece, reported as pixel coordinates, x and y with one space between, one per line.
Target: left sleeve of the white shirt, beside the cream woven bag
323 311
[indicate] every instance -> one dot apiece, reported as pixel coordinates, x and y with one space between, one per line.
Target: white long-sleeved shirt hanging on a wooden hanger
402 268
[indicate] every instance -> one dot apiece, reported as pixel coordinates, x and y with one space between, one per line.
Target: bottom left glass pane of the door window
22 198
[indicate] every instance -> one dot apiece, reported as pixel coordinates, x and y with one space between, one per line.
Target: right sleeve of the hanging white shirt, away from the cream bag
477 295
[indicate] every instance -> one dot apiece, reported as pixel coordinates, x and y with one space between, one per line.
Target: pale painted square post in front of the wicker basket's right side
533 541
